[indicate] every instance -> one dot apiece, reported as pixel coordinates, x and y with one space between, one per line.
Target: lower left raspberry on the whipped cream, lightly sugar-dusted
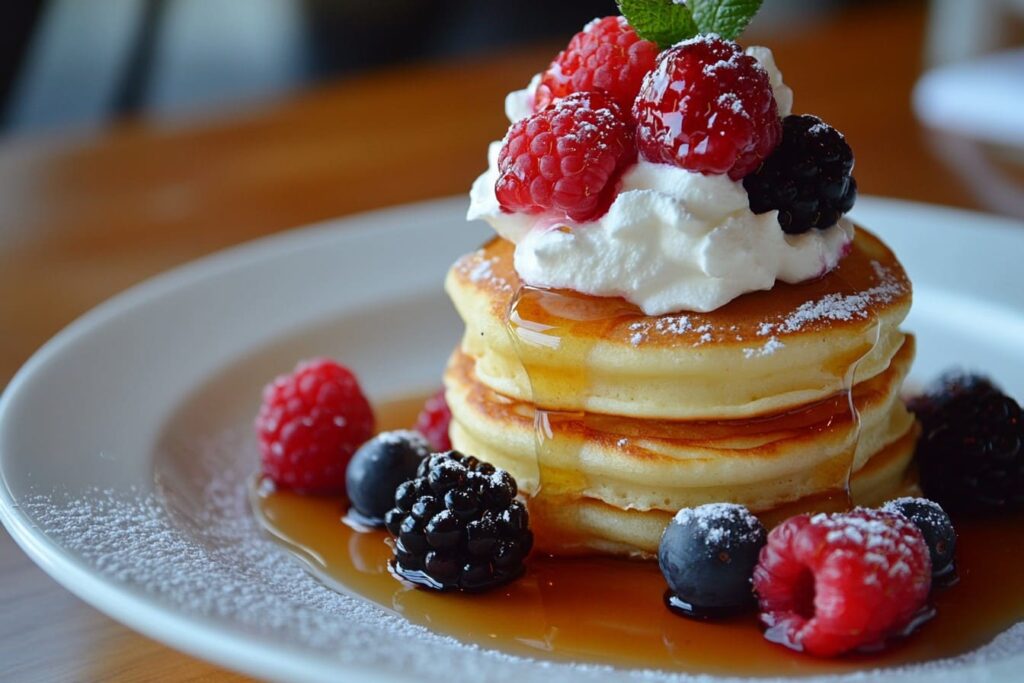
566 160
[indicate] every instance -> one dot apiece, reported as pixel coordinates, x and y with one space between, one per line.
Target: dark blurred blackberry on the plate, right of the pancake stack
971 452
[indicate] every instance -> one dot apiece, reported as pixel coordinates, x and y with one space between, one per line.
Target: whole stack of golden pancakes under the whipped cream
612 421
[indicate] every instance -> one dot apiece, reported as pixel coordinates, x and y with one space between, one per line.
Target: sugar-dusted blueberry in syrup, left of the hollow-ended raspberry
708 556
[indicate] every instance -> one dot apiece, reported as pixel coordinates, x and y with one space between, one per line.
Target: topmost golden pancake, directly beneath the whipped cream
762 353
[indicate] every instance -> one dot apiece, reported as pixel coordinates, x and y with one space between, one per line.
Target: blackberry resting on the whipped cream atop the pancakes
807 179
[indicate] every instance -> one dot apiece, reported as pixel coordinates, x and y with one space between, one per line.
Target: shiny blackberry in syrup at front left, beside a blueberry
458 526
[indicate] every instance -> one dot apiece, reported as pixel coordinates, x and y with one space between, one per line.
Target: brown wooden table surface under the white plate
83 218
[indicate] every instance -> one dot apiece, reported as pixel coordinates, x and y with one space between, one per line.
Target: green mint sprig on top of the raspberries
668 22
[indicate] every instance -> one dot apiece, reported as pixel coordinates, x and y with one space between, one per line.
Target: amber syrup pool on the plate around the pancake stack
603 611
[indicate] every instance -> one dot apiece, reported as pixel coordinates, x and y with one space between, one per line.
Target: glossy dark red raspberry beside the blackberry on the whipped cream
707 107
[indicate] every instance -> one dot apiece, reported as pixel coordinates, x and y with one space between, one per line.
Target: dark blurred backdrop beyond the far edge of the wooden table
74 64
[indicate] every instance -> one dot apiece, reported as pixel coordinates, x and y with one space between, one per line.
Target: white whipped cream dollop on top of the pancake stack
673 240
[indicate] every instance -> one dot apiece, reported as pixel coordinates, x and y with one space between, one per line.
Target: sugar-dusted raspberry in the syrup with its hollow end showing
831 584
